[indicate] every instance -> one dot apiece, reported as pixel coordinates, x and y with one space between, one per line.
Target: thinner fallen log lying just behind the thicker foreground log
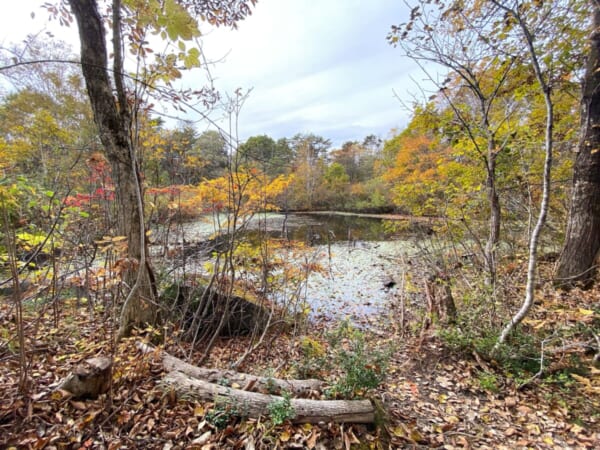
245 381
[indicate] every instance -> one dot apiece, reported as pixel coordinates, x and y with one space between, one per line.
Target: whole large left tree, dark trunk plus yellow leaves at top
114 116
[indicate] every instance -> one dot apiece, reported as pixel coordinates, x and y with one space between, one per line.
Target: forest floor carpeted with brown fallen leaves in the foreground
434 397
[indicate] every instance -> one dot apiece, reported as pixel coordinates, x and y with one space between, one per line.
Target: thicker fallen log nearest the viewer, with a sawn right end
254 404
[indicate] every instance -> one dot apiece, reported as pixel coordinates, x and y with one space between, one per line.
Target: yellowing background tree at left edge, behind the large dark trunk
45 116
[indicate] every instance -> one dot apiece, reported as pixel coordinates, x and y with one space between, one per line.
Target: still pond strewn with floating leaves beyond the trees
359 255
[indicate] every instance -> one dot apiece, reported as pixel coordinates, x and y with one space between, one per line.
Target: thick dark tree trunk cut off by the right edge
582 242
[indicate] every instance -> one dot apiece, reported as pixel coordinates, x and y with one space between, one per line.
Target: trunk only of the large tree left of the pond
113 124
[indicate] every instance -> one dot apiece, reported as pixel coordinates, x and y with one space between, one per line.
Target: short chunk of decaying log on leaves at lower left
89 379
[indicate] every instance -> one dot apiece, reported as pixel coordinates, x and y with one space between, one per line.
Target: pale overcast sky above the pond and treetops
314 66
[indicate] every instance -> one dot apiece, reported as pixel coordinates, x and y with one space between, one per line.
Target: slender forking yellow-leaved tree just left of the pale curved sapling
472 88
